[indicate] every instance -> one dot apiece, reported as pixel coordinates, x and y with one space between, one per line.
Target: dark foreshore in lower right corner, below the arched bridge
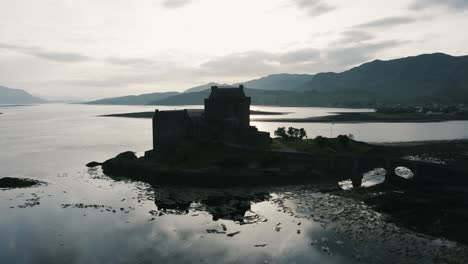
439 211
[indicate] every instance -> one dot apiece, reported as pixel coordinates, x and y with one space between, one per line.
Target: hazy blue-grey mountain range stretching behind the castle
427 78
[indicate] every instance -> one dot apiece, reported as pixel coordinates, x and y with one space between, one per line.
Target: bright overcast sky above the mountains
86 49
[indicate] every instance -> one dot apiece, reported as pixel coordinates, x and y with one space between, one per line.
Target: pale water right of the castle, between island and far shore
368 132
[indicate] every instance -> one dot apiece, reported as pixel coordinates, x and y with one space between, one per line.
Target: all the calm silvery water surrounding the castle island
81 216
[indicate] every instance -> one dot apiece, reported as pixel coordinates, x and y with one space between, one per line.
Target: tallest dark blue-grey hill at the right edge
433 76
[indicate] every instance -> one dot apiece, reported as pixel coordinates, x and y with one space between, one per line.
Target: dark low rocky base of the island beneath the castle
147 169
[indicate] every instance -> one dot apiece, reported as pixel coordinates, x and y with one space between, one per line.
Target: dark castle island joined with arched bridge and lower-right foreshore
217 147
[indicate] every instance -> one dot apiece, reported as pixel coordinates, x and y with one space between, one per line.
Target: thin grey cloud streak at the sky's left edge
68 57
